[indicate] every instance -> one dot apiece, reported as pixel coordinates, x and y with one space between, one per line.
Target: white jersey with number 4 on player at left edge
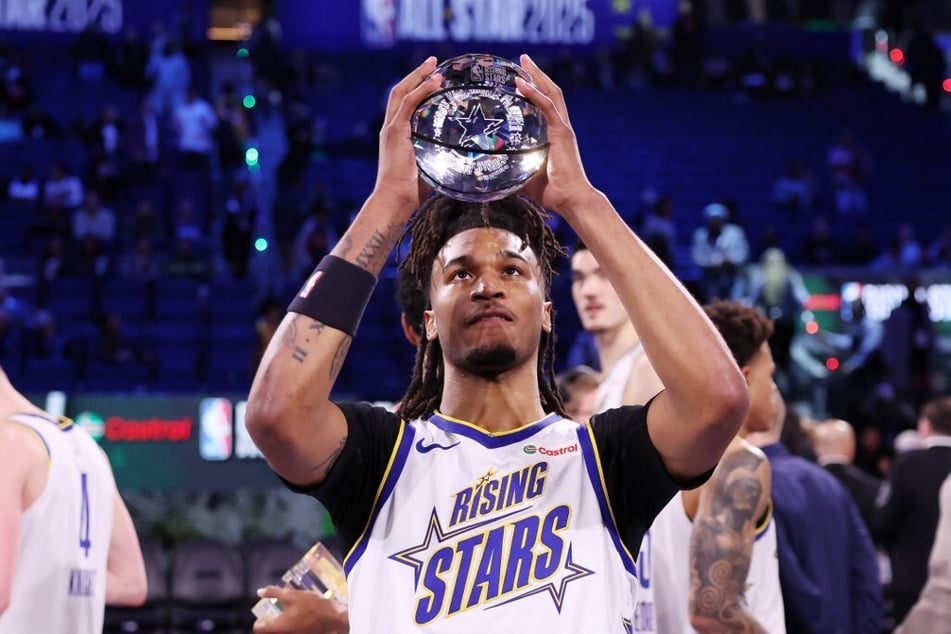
60 582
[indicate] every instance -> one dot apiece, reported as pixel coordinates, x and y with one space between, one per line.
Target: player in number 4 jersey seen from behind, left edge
67 542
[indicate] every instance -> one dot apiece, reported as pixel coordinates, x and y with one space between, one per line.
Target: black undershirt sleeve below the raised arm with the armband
351 485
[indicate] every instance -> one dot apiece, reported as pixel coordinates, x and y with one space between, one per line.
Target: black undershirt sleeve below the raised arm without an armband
636 479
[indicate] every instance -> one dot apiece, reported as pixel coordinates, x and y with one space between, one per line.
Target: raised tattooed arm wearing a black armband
289 414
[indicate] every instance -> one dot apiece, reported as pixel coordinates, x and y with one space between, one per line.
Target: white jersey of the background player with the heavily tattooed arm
671 531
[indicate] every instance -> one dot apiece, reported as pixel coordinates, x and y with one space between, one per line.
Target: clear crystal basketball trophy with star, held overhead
477 138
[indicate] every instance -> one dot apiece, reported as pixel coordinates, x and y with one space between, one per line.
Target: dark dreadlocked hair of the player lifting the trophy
437 220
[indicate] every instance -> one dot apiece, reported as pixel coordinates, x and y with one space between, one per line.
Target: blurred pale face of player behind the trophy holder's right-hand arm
598 305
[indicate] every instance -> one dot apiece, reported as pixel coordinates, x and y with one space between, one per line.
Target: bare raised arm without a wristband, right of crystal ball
706 399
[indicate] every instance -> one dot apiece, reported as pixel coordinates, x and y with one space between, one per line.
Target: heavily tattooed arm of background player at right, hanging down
721 546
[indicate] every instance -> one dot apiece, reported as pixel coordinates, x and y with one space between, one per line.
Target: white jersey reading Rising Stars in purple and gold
520 541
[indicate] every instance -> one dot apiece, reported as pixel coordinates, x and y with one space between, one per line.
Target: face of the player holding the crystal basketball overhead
488 302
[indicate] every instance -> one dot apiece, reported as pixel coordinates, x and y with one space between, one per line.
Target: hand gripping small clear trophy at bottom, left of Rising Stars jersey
304 612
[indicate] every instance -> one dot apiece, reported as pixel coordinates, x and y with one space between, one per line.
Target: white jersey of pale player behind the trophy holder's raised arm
610 395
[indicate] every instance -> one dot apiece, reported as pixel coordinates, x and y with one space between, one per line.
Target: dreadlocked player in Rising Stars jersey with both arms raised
480 507
